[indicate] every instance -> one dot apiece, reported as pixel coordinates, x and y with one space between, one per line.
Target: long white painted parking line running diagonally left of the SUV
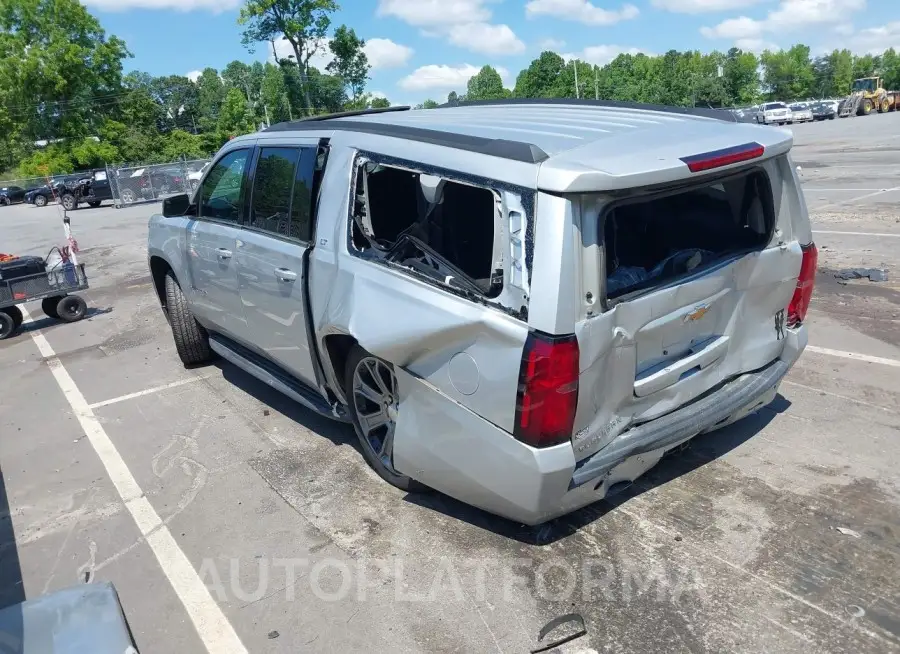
211 624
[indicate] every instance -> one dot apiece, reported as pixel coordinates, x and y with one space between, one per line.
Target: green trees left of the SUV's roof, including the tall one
66 104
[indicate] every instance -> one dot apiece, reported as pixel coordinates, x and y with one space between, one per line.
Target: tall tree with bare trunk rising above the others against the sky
303 23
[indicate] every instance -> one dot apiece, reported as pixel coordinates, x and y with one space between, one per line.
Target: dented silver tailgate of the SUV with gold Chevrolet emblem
662 346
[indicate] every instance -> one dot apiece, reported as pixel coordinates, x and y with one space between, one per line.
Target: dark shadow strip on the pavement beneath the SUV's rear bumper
698 452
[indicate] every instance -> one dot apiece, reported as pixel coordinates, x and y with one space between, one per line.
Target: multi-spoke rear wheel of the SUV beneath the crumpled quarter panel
373 398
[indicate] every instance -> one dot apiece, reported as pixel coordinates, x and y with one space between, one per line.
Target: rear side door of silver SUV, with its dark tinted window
270 253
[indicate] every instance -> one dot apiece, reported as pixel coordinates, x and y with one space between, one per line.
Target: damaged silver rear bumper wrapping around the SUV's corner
531 486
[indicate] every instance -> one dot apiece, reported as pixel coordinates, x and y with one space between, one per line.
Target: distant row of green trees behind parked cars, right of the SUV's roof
716 79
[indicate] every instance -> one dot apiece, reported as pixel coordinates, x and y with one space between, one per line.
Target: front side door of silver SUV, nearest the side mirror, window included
211 242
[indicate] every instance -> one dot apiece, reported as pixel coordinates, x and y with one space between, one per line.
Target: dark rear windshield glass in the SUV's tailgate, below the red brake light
650 242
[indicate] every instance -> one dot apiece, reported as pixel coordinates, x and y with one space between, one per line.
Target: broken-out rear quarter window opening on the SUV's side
437 227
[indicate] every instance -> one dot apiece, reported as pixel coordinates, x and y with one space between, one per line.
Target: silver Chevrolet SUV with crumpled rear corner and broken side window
523 305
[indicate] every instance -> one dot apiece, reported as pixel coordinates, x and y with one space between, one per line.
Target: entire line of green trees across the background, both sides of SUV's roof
66 103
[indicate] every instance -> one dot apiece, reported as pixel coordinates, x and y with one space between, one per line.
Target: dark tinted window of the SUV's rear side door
282 192
